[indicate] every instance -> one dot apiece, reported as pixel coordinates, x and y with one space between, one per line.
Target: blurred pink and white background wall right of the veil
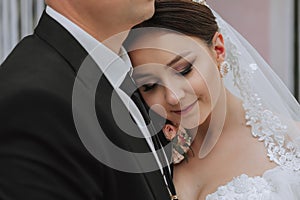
269 25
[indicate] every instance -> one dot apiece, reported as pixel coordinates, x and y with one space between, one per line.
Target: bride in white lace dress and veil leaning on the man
232 123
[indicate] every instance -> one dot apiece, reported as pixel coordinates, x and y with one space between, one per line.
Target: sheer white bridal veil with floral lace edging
271 109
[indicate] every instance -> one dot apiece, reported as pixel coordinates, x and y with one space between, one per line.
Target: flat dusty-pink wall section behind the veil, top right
250 18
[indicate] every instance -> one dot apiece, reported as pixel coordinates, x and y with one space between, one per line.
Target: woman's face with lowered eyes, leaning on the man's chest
177 76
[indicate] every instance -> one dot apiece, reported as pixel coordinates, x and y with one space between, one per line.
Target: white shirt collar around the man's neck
112 65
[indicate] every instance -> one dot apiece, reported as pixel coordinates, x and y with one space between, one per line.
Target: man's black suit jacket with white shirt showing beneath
41 154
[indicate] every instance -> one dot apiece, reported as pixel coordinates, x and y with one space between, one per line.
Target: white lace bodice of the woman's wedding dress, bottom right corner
279 183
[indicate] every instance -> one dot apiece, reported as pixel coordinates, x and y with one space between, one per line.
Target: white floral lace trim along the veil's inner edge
266 125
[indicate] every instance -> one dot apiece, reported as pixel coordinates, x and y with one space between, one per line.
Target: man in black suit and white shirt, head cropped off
50 146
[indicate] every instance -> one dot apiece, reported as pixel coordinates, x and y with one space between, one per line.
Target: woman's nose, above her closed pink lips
173 94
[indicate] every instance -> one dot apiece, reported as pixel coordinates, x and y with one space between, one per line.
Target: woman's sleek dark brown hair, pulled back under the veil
184 16
